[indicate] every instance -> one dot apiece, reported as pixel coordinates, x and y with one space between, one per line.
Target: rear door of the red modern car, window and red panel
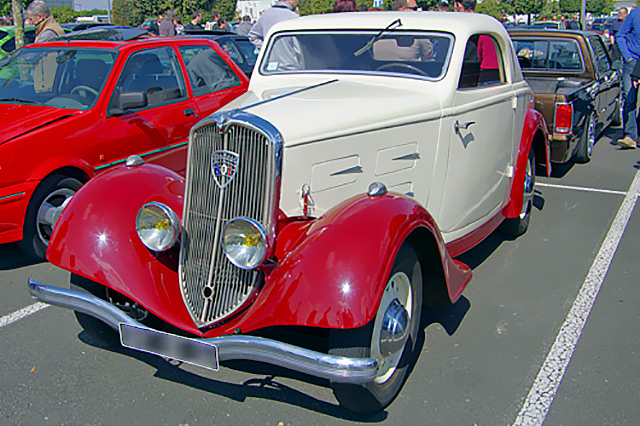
214 82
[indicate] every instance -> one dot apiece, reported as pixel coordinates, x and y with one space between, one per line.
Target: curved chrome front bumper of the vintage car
226 348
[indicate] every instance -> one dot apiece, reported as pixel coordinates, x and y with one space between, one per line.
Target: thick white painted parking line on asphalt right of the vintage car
536 406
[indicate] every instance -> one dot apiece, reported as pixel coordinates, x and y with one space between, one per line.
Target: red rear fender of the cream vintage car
534 136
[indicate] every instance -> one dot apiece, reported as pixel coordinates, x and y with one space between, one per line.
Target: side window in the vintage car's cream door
483 64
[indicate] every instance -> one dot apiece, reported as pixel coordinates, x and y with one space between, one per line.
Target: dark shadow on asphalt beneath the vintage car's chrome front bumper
266 387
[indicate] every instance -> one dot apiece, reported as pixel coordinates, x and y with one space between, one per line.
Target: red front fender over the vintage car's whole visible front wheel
331 272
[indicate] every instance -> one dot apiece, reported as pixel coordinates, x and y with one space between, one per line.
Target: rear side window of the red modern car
208 72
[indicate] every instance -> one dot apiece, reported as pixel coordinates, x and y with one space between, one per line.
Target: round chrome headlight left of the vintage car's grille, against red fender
158 226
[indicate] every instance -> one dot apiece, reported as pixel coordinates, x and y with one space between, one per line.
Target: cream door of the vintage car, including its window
481 143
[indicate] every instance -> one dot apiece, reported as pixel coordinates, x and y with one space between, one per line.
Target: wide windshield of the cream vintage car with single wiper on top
402 53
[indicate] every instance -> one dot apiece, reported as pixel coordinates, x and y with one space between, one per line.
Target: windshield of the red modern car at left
61 77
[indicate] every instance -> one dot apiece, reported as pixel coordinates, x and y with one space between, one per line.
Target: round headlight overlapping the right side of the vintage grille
244 241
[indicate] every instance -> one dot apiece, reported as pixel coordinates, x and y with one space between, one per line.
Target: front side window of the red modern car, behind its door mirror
152 73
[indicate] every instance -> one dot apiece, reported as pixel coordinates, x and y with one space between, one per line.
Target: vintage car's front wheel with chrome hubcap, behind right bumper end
390 338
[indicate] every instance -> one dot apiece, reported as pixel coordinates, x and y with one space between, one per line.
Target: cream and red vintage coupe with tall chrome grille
331 199
